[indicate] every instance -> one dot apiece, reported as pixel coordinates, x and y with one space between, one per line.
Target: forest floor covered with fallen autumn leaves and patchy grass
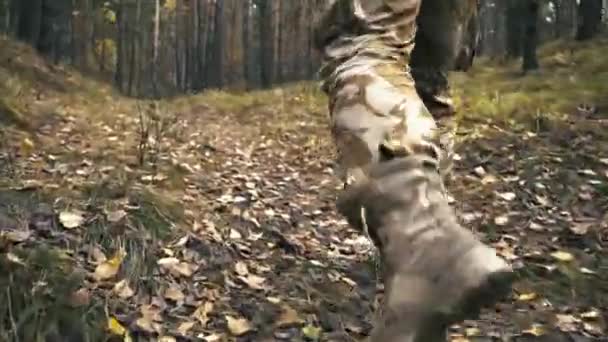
211 217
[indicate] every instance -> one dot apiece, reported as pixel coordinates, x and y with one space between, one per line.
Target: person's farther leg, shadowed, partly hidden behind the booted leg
438 50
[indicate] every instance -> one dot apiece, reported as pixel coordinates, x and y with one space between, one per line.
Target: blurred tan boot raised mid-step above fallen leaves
436 273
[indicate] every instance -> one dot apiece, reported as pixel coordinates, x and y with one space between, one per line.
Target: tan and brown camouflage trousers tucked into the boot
388 98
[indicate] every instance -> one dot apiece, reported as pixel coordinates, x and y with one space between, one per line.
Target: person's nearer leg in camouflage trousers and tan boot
435 272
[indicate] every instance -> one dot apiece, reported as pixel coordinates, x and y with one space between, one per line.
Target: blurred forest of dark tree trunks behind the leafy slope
163 47
